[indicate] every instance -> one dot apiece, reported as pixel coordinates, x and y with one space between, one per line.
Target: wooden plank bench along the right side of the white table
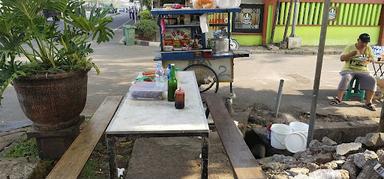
242 161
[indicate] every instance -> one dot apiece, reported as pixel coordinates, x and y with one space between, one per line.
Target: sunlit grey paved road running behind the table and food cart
256 81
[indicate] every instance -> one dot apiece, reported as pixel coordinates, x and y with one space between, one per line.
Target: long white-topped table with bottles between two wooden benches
147 118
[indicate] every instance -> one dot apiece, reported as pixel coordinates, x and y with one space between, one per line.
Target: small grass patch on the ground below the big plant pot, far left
23 148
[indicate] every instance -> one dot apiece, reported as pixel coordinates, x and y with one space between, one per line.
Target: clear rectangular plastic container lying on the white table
147 90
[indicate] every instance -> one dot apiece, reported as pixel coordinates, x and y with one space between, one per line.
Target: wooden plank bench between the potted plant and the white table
73 160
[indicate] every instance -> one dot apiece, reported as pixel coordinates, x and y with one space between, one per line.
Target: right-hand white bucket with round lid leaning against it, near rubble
297 140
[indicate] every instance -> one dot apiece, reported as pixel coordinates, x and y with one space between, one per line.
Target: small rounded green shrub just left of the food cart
146 29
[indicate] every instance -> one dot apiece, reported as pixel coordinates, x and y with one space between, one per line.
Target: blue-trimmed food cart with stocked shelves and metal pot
187 40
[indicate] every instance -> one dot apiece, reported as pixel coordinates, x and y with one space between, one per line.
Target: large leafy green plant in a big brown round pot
47 61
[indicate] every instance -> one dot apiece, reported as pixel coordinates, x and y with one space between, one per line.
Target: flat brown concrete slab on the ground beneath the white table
177 158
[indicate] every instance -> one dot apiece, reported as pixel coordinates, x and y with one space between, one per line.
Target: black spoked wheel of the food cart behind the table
205 76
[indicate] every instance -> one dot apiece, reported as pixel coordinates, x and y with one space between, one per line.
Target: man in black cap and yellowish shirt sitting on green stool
356 58
